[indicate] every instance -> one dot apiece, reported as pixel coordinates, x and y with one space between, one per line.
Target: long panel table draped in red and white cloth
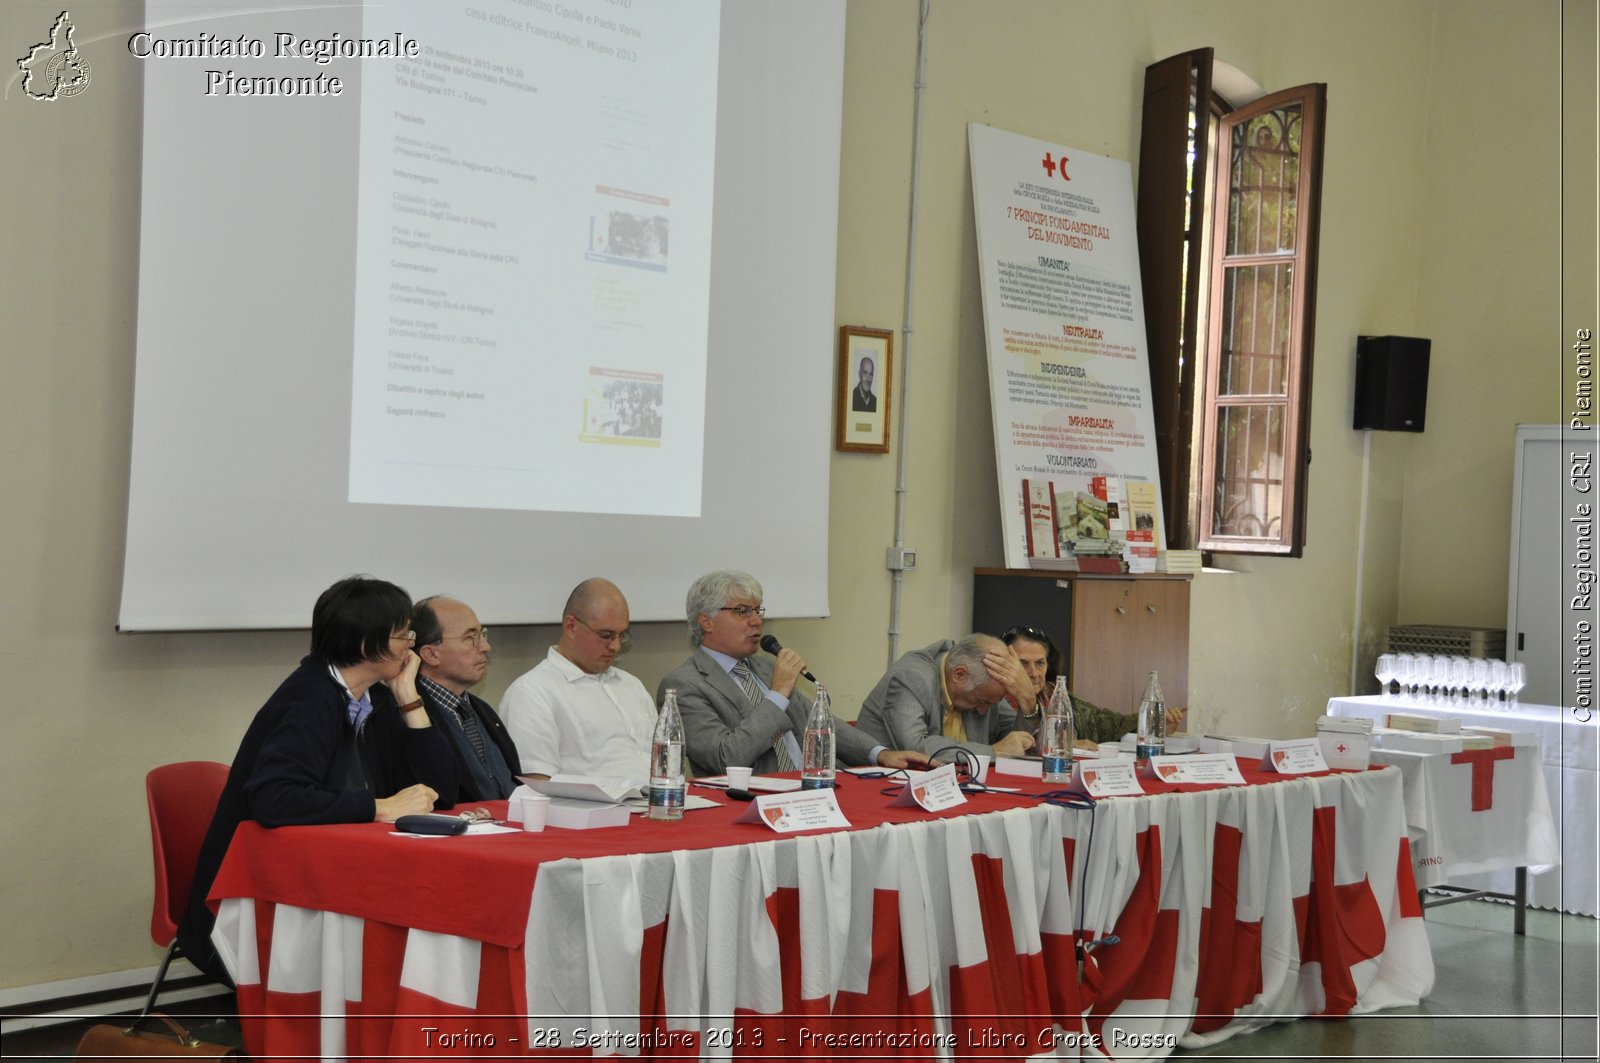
1204 912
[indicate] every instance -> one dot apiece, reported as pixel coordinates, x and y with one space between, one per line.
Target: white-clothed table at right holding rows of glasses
1569 766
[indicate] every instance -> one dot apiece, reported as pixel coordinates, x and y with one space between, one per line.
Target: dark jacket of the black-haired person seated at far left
302 763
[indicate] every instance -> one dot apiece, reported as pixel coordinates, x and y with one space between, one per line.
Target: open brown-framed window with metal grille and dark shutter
1228 239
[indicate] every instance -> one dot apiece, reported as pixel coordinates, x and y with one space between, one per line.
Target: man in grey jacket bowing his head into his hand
953 694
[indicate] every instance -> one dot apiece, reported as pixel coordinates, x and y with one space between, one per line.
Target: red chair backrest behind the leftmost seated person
183 798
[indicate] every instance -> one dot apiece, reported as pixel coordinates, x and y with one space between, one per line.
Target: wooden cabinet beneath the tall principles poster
1113 630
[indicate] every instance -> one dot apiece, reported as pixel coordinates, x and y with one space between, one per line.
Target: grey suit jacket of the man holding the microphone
722 728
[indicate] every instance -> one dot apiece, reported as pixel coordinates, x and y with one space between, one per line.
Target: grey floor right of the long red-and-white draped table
1497 997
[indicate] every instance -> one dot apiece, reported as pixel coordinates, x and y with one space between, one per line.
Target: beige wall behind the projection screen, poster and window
1441 219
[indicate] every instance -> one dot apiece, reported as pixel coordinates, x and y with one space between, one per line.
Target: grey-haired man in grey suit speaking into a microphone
743 710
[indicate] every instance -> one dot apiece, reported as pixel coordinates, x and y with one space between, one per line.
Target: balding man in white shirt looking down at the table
577 713
